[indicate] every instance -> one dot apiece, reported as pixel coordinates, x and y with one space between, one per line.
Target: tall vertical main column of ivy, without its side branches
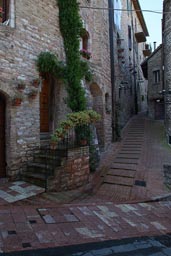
71 28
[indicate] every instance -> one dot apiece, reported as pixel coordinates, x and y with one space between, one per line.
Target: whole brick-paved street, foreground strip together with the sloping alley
122 207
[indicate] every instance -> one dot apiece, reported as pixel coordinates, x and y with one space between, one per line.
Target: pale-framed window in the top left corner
8 17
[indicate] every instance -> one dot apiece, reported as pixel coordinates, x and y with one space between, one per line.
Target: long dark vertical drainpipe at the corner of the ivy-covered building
112 64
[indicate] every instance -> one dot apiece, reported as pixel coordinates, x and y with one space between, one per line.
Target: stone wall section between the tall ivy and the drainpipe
97 25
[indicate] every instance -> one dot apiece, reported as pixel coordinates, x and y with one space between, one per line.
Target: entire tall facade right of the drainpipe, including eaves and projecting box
130 32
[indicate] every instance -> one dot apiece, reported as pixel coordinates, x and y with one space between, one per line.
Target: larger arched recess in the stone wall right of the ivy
98 107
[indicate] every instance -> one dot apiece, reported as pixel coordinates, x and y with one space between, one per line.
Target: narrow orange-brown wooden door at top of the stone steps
44 107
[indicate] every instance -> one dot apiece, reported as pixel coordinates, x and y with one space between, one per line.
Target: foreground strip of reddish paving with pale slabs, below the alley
27 227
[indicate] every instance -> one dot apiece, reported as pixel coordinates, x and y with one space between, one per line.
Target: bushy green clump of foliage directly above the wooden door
48 62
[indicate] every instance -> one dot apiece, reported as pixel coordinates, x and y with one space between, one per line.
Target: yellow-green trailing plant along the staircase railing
76 119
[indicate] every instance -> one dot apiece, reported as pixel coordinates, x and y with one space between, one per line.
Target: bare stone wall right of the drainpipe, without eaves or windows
128 71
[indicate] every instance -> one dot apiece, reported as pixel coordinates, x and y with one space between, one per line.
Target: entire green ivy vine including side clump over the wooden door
75 69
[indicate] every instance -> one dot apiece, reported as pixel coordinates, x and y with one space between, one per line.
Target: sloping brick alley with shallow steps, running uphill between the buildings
135 170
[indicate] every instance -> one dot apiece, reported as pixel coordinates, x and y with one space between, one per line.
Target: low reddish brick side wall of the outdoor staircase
73 173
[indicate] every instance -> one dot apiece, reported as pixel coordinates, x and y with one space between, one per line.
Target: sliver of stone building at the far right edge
167 65
